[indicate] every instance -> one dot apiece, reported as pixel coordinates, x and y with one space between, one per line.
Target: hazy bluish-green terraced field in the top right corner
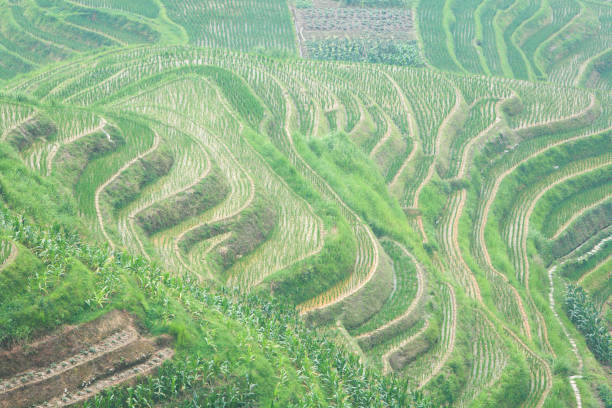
517 39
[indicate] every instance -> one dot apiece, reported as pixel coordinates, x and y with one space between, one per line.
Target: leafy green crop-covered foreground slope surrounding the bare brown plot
217 322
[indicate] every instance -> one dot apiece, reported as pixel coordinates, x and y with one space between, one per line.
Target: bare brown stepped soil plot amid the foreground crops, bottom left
78 362
